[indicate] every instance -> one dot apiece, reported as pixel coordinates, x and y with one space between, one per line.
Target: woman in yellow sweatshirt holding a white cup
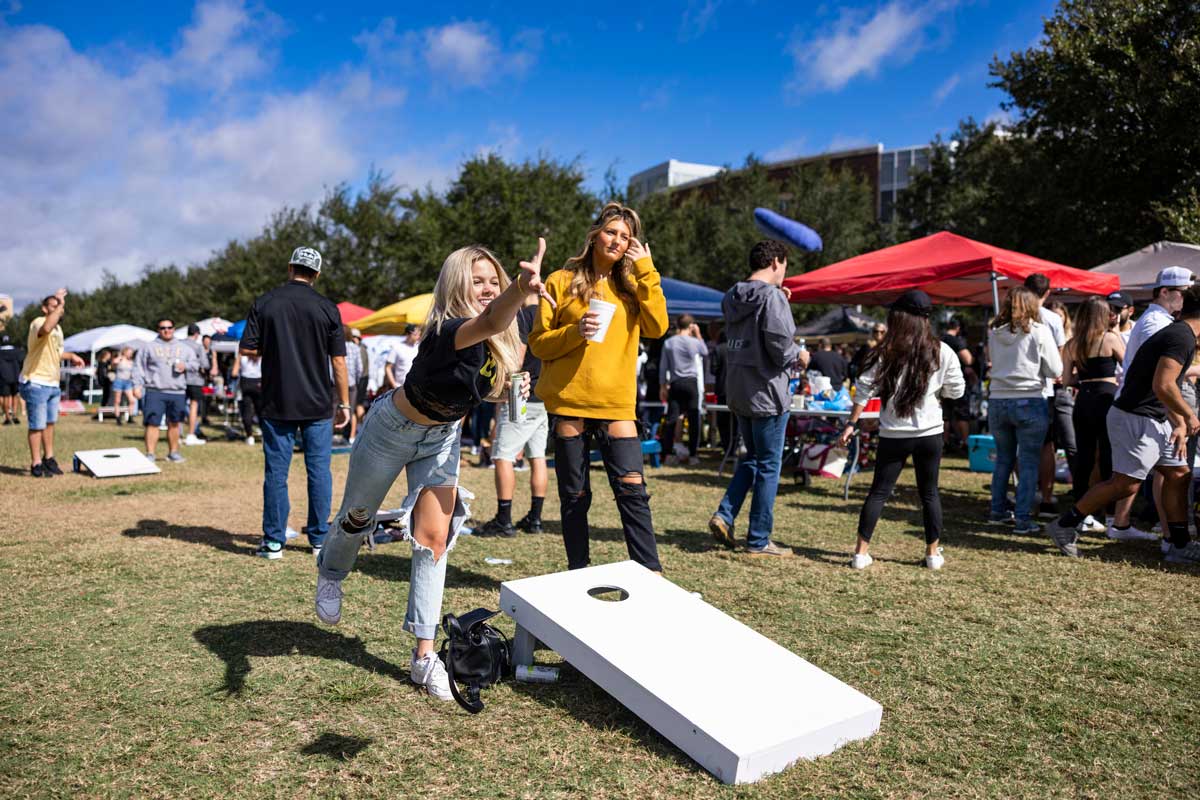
591 387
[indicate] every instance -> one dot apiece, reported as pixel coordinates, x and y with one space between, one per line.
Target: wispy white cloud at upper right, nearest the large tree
860 44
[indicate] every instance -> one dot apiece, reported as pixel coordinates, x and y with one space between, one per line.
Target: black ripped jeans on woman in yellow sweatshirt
622 458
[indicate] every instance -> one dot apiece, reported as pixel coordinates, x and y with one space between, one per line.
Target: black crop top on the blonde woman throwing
446 384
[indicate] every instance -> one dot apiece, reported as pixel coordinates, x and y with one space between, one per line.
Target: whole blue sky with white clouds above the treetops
149 134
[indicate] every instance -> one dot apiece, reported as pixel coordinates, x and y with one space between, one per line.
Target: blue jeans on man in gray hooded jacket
758 471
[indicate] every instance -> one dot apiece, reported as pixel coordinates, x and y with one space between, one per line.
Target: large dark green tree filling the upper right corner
1103 151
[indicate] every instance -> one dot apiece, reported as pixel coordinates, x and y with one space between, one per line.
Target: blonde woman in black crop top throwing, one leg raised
470 347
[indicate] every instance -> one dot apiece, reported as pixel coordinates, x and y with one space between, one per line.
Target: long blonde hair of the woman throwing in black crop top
452 300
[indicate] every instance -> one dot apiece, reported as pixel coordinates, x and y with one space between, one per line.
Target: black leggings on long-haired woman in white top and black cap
890 460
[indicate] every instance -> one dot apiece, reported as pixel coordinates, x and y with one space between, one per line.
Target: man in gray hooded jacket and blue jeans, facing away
761 351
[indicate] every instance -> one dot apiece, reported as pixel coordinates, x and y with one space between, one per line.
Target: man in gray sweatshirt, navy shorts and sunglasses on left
160 375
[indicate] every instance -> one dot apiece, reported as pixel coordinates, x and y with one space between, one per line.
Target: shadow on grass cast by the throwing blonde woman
237 643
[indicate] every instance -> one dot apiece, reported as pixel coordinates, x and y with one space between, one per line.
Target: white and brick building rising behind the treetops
889 172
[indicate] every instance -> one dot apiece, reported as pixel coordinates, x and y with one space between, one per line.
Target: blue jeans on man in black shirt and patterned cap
279 441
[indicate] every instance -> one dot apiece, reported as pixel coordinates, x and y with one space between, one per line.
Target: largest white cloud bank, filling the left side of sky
103 171
